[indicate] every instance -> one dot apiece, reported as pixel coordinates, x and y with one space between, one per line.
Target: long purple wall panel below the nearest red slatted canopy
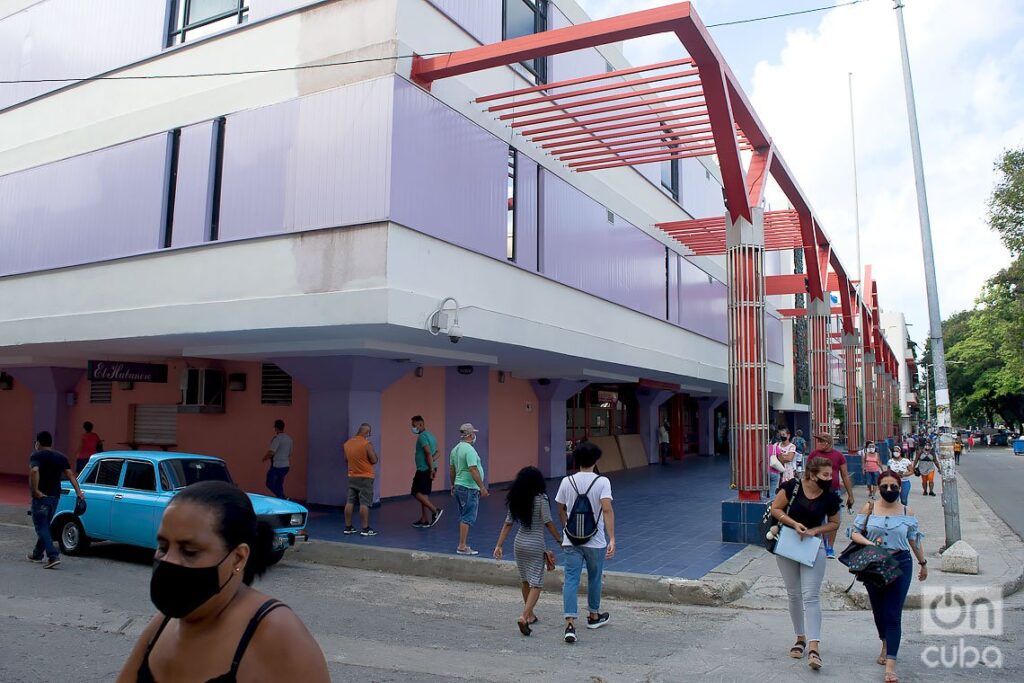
616 262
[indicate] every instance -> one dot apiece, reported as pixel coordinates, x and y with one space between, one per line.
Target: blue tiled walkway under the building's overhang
668 521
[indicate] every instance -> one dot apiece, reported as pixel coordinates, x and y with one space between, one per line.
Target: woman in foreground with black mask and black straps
211 625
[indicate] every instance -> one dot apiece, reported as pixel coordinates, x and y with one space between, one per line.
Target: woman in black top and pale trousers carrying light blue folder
810 507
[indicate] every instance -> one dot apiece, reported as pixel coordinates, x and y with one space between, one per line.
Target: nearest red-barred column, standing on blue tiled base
748 363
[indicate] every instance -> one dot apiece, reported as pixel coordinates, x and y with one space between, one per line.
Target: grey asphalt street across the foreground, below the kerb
79 623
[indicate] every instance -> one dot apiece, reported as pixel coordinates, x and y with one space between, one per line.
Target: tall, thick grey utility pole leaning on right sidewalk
951 501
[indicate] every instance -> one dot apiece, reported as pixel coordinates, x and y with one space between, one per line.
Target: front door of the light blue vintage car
137 504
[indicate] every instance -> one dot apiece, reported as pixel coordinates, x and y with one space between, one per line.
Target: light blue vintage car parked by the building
127 491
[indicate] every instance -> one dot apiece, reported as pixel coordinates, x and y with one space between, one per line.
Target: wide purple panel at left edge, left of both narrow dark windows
95 207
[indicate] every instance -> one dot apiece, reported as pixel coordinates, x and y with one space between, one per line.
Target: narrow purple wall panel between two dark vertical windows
194 190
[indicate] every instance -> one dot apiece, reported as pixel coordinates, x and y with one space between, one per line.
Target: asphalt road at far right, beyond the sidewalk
998 477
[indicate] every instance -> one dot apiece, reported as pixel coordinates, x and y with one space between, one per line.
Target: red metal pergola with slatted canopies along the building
685 108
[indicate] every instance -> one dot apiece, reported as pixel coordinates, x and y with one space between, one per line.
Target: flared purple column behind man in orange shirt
345 392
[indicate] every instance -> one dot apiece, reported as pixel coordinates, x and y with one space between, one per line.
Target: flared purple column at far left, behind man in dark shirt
52 409
